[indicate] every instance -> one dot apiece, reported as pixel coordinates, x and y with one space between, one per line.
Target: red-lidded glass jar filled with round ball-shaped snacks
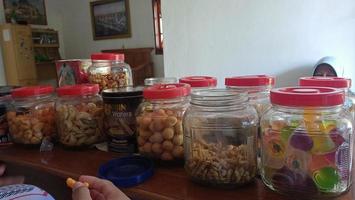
159 121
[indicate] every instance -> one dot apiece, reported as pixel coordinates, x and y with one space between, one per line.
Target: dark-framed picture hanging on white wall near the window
110 19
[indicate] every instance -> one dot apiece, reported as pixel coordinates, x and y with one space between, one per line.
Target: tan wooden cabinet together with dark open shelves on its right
29 54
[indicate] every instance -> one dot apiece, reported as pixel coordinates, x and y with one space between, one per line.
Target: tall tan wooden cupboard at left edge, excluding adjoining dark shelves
17 50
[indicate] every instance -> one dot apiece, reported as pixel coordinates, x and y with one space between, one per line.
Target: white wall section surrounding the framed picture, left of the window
78 37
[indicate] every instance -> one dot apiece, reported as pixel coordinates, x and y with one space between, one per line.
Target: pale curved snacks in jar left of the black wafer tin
80 124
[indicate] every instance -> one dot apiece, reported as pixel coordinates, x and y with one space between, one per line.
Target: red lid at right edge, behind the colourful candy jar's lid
320 81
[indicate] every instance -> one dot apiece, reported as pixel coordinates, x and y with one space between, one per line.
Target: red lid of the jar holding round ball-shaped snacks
167 91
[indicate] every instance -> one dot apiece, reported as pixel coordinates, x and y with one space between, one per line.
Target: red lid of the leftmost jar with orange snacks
30 91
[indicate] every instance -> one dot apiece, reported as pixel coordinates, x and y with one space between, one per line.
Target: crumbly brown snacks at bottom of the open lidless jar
221 164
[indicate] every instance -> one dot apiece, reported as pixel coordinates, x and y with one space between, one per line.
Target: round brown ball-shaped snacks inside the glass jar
160 134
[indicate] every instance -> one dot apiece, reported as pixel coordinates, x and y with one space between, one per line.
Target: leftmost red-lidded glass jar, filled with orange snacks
31 115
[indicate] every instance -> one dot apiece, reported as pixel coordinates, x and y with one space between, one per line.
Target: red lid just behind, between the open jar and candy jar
252 80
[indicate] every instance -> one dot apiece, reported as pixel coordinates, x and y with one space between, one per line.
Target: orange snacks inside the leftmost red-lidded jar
32 126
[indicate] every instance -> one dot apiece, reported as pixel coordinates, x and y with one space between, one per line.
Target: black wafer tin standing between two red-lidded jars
120 106
